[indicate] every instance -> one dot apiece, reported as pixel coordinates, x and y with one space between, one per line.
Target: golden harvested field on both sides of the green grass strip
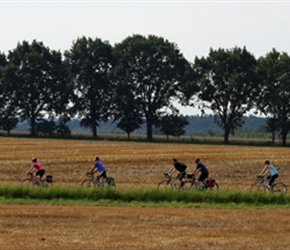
134 227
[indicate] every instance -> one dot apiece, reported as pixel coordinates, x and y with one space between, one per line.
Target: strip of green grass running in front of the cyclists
151 197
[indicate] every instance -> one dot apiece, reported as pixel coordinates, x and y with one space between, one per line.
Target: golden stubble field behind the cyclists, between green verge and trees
135 164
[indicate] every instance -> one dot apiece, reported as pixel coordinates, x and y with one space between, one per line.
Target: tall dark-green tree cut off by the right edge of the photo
274 76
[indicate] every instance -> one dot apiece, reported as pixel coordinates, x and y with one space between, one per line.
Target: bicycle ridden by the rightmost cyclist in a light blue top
261 186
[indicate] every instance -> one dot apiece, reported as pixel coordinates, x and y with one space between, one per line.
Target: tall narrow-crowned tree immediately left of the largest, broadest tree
90 62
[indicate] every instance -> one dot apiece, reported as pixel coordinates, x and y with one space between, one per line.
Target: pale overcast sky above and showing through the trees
194 26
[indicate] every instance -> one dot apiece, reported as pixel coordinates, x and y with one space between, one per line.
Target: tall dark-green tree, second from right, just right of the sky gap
227 83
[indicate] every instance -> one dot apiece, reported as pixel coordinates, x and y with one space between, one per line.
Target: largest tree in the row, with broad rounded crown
154 70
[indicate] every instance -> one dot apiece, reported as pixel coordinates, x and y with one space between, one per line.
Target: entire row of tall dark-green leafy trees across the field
138 81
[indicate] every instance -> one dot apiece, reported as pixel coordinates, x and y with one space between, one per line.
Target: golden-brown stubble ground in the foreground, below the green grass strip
109 227
